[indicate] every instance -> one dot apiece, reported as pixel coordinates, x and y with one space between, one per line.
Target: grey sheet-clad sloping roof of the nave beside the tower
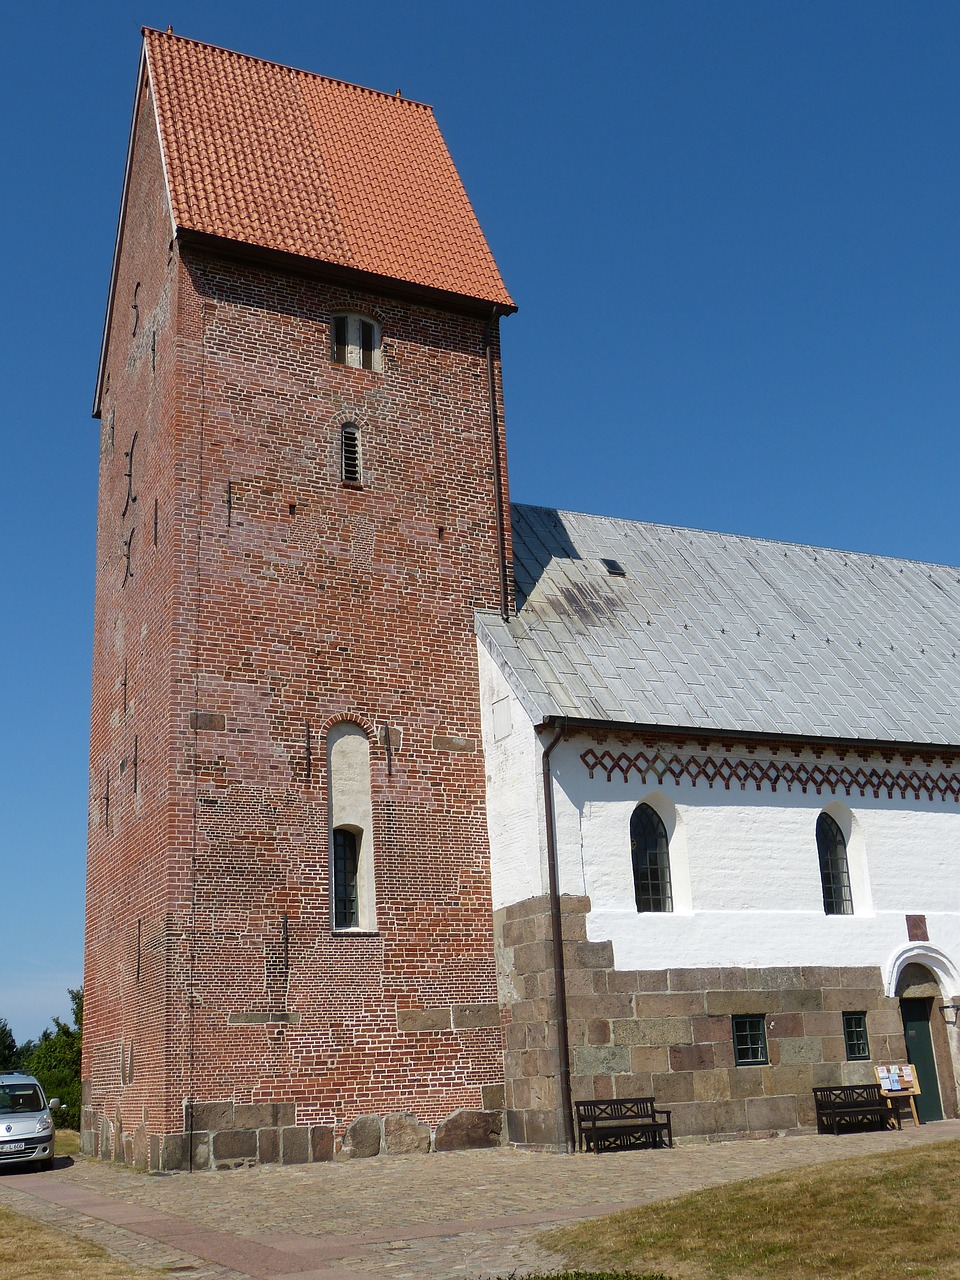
715 632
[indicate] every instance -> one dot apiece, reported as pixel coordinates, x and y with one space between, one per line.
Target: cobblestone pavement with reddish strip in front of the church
458 1217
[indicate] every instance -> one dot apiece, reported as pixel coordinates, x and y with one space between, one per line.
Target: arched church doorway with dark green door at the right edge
920 989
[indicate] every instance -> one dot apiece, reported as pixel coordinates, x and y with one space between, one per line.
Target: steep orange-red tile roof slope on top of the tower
287 161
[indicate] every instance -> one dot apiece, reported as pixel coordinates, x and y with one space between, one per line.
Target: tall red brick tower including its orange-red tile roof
303 501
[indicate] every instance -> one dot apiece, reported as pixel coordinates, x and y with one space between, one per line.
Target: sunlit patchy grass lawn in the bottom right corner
879 1218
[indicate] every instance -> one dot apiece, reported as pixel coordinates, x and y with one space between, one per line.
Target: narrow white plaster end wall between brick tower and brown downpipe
514 792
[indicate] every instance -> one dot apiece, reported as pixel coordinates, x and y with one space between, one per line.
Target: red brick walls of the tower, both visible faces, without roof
298 604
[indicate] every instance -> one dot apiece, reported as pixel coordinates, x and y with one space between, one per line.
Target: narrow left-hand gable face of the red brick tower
129 876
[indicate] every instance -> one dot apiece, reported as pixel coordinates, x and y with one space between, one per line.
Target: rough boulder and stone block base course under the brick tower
232 1136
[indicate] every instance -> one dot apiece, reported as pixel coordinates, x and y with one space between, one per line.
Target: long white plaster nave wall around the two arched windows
747 876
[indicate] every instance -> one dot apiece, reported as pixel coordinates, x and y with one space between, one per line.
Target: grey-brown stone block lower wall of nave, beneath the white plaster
669 1034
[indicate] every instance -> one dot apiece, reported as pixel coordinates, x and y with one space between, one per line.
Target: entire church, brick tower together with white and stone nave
417 816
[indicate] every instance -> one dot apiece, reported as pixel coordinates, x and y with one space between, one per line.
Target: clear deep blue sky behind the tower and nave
732 227
